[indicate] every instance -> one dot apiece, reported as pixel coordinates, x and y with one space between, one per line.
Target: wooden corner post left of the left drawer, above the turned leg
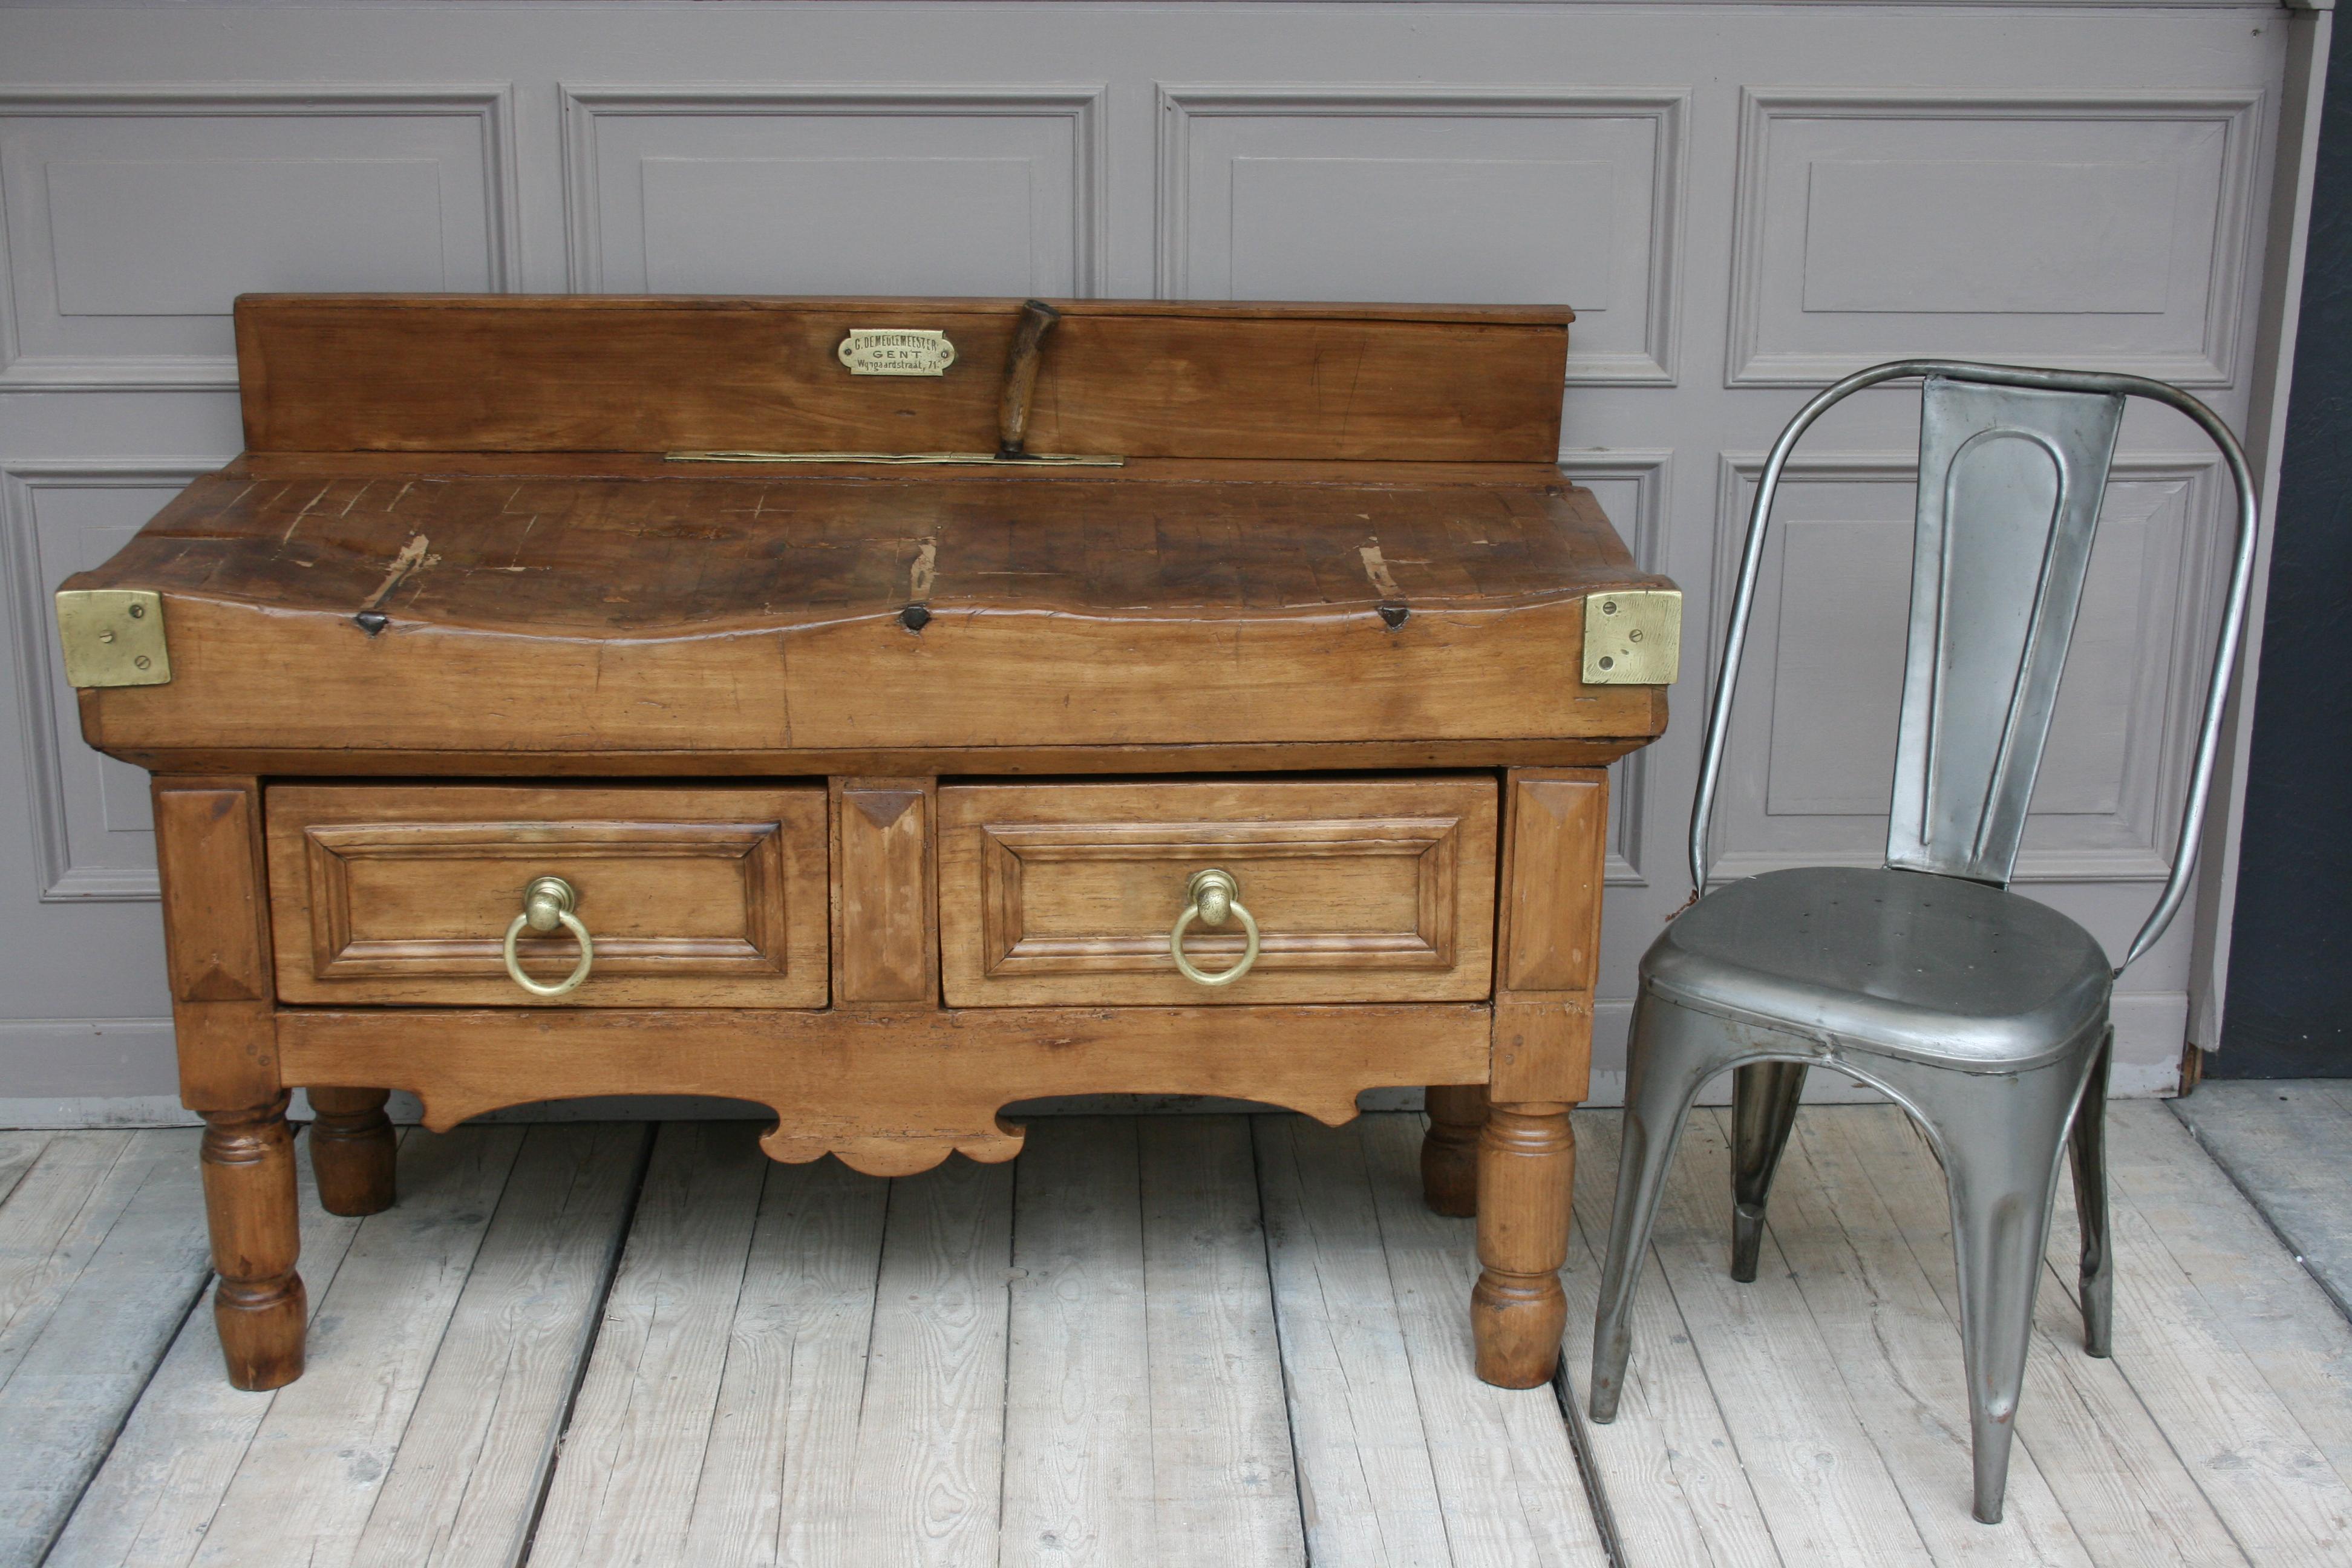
215 918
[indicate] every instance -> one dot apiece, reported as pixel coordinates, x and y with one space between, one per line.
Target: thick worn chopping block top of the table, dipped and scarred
568 615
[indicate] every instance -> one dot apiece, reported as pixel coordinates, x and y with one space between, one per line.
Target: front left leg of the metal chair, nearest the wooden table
1671 1054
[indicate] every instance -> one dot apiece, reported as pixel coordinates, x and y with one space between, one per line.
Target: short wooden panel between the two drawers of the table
886 942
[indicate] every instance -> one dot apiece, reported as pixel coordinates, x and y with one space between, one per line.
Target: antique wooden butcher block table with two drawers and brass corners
881 713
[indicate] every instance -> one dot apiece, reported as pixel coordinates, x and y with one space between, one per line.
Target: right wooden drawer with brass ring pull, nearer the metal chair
1372 890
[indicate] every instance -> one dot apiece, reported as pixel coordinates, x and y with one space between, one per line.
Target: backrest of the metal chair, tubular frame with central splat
2012 471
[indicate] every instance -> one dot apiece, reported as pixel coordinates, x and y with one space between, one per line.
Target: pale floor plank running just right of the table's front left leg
328 1442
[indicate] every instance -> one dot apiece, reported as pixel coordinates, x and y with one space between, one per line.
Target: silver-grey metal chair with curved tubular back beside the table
1982 1012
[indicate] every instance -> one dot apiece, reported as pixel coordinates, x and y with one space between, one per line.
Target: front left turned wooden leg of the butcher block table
255 1240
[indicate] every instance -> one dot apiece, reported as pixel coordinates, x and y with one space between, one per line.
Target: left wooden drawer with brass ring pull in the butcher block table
709 897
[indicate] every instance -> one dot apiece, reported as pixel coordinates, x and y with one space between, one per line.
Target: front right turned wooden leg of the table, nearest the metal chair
1525 1172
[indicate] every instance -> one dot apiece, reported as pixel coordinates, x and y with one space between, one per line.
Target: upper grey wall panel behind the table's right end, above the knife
1424 194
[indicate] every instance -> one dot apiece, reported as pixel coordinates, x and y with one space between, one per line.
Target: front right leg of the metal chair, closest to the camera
2003 1139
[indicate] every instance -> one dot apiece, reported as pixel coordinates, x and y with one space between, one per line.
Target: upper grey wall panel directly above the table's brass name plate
827 192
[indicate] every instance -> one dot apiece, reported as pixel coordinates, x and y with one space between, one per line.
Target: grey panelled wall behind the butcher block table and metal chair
1744 203
